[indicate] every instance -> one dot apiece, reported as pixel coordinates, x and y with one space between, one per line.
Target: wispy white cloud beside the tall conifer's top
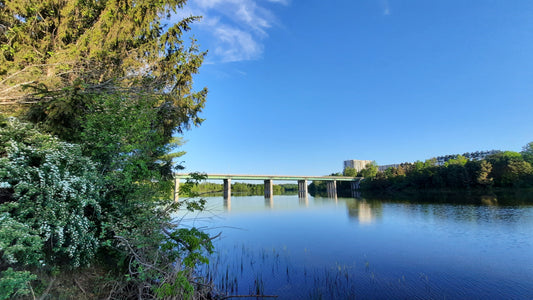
235 28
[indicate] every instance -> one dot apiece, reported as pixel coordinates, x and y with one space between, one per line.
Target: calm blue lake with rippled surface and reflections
368 248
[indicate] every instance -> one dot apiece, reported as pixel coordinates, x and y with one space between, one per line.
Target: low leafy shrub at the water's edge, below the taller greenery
162 260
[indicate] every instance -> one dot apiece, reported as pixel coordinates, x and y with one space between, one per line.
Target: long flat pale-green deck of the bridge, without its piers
272 177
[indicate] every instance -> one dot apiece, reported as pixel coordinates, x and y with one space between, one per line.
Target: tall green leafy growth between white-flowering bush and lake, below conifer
136 162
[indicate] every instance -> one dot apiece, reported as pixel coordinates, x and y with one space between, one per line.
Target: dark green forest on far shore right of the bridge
483 169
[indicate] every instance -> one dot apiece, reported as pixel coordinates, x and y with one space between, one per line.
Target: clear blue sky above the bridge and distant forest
297 87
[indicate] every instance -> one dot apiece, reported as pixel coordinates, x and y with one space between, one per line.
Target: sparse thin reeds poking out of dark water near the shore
243 270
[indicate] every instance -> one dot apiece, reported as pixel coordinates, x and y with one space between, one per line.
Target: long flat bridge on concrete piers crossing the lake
268 182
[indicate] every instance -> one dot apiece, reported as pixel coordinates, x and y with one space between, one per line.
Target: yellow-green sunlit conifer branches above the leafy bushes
56 54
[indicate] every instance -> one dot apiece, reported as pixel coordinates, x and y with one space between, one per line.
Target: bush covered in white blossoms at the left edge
51 192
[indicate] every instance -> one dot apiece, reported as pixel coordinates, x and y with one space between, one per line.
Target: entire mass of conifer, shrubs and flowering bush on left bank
114 77
